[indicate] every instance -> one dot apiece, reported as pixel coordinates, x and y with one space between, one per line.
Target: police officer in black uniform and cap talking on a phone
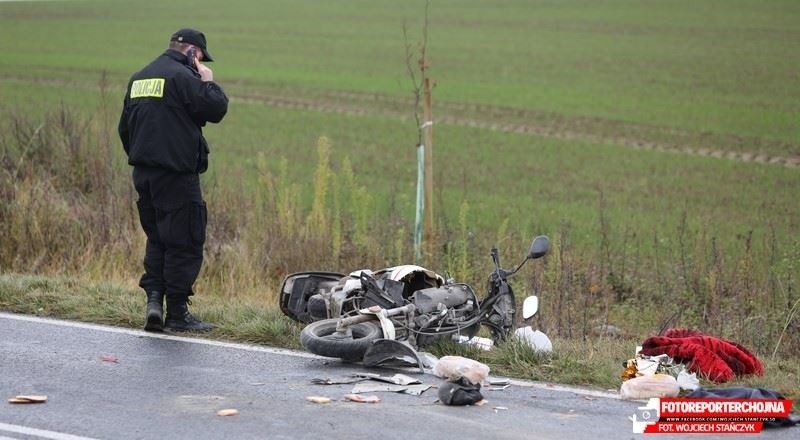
166 106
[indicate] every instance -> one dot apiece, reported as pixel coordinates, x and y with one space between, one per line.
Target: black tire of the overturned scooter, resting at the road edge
321 338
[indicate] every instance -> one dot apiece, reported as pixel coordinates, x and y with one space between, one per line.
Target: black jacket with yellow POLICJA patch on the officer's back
165 108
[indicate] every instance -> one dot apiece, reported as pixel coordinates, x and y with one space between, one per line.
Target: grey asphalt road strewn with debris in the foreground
112 383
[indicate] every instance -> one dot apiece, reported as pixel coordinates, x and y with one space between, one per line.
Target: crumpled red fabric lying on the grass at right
717 359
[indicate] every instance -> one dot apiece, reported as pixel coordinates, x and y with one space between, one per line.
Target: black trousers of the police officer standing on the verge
173 216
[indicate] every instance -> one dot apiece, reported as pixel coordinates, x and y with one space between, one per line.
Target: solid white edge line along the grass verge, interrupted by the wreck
281 351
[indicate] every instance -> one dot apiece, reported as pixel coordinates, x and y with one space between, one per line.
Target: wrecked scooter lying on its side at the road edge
348 314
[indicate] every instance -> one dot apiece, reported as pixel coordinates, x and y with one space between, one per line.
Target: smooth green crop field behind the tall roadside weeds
716 75
